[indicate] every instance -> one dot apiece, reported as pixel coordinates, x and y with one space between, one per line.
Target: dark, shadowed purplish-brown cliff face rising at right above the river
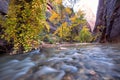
108 16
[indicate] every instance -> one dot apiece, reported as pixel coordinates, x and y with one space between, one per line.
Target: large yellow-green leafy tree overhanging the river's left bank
24 22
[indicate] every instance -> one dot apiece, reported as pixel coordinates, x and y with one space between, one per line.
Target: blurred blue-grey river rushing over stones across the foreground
85 62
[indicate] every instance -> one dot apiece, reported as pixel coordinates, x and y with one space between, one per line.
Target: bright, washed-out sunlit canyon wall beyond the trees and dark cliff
87 6
